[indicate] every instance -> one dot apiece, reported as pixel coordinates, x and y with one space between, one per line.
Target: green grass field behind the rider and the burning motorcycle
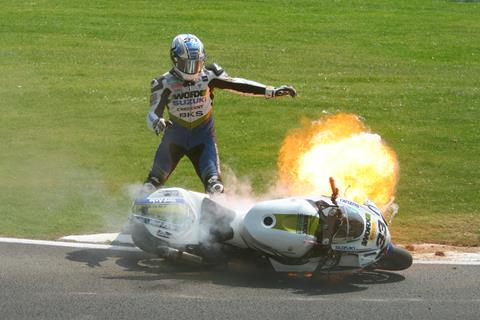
74 86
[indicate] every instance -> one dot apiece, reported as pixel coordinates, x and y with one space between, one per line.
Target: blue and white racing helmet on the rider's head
188 56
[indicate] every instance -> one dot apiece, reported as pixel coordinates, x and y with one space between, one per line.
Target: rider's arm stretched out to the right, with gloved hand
221 80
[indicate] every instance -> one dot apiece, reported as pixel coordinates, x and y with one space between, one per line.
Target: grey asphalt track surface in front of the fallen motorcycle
44 282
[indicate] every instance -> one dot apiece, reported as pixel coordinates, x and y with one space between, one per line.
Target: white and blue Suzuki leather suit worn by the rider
189 106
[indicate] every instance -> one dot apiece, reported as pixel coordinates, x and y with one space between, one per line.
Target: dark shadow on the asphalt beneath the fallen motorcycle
140 266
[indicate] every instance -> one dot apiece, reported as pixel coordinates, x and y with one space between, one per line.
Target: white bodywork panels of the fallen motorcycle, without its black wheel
284 230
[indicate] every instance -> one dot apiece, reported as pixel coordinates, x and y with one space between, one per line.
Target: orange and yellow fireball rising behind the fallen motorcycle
338 146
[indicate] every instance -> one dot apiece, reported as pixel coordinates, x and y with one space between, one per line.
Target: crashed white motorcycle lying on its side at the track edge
295 234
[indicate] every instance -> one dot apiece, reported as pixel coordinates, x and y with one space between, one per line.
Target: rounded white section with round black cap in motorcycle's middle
262 229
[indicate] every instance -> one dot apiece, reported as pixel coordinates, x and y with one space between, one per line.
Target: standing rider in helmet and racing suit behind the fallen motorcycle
186 91
